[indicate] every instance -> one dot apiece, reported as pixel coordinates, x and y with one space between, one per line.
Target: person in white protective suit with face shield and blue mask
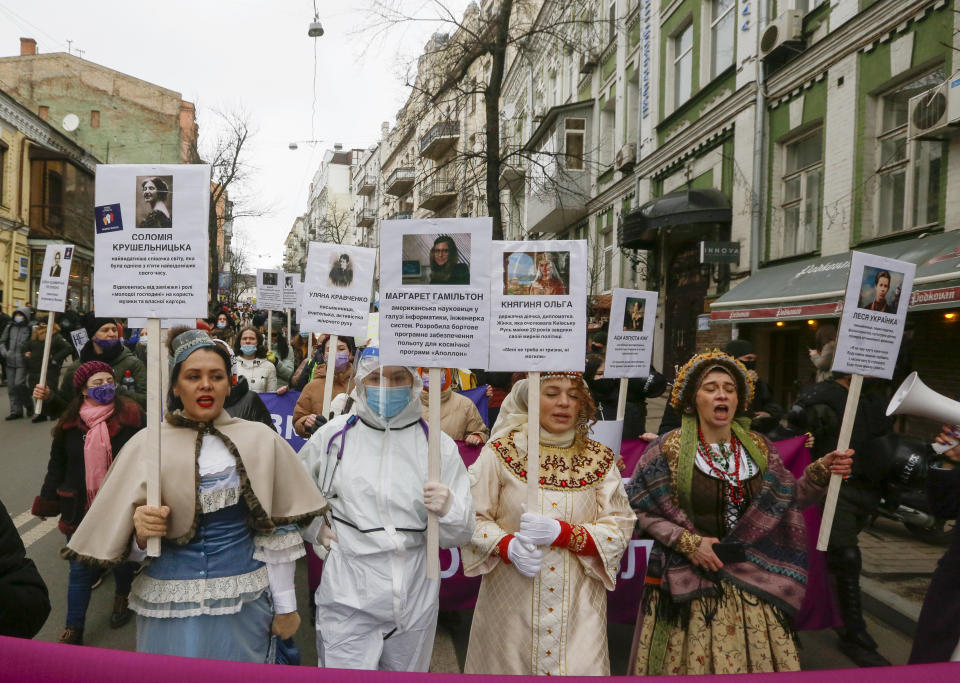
376 609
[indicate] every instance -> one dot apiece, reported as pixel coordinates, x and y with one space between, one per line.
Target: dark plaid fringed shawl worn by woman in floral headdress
771 529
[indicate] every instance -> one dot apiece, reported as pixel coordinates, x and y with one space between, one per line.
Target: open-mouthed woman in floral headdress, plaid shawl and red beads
712 607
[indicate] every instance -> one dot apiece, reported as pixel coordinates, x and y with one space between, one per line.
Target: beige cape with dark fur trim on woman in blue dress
275 486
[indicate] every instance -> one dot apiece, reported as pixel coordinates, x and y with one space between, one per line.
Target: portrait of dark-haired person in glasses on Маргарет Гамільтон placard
436 259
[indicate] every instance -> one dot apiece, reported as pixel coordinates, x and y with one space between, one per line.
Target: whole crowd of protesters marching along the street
725 579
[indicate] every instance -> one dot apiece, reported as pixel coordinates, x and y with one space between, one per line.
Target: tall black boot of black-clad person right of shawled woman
855 642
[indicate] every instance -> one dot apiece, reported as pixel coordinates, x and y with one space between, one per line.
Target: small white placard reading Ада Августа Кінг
633 314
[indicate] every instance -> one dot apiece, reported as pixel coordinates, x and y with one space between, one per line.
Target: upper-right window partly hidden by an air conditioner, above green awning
908 172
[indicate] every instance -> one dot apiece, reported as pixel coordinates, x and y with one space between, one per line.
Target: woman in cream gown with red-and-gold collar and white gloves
554 624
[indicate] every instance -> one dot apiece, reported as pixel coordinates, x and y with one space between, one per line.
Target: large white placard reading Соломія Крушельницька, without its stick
151 238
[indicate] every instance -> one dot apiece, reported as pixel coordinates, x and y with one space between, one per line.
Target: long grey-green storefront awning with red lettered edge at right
814 288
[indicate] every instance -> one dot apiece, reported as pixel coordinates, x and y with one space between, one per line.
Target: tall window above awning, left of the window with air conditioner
800 196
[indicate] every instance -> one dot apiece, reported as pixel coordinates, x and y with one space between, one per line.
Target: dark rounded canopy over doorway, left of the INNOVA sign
639 229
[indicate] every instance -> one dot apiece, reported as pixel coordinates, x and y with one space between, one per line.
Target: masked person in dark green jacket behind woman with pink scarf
104 345
